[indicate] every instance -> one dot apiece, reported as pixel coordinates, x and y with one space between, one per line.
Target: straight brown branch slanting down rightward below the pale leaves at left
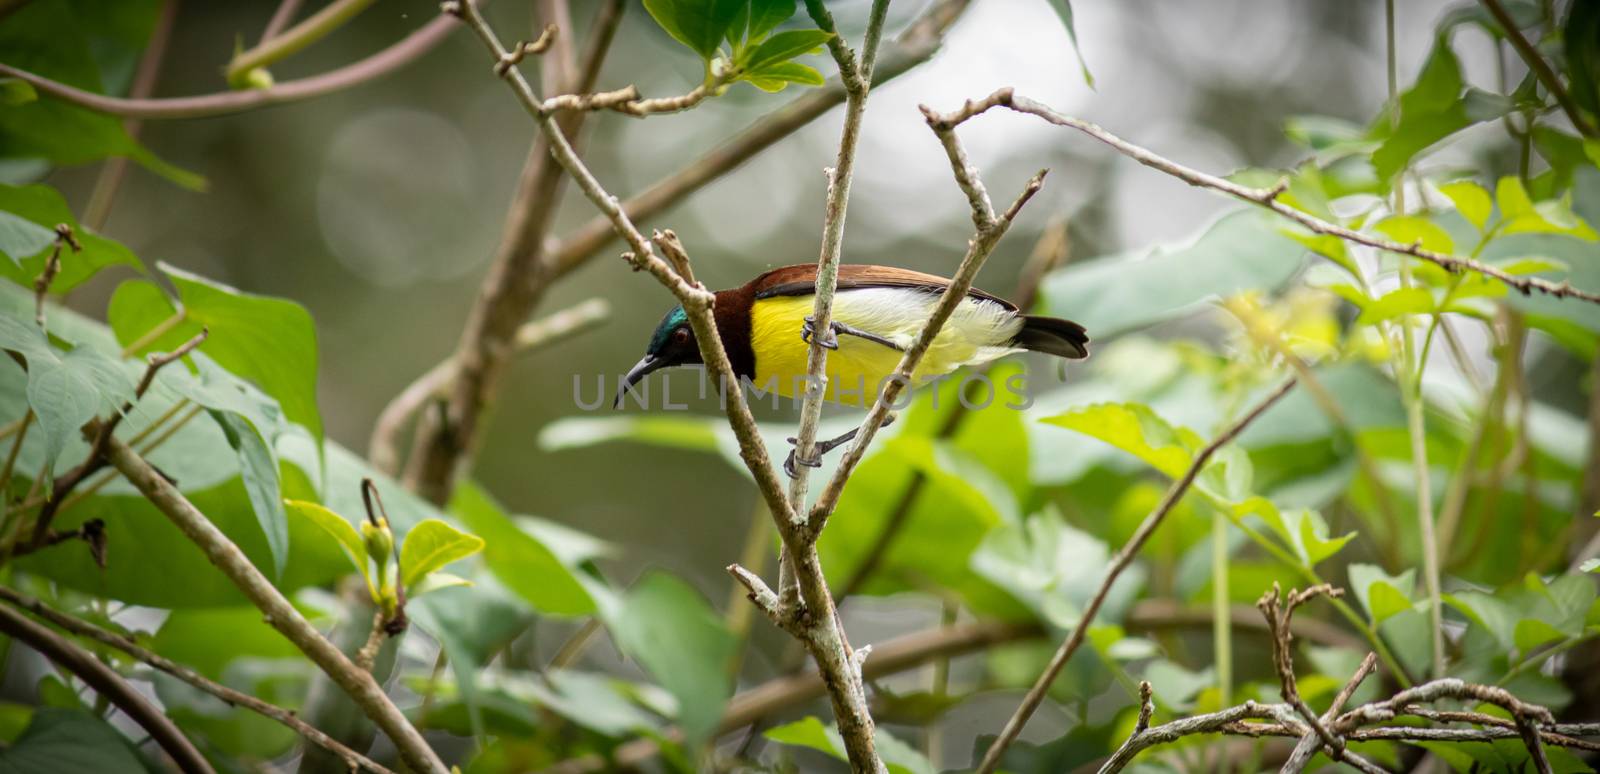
276 608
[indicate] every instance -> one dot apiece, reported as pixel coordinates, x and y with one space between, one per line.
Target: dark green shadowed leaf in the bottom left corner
71 741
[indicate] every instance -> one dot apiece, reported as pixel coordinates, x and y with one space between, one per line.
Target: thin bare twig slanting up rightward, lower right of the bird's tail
1119 564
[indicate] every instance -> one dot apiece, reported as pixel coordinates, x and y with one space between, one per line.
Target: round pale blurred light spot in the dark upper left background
398 197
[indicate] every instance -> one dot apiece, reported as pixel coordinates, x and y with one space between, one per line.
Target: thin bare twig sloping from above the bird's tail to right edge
1270 199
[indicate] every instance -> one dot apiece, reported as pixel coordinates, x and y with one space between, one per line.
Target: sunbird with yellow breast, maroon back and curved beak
767 329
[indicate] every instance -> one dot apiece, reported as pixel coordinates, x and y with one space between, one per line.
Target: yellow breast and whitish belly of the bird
977 333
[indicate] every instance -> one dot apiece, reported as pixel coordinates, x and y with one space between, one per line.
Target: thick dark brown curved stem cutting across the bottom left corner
108 684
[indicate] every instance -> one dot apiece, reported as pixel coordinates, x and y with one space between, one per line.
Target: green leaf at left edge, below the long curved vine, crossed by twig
44 209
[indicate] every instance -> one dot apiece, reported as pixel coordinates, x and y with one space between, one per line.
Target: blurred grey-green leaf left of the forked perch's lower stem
671 631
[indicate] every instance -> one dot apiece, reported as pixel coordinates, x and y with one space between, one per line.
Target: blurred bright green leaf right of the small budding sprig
521 561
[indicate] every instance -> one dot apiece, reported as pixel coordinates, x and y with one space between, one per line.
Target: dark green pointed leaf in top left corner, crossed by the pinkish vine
50 39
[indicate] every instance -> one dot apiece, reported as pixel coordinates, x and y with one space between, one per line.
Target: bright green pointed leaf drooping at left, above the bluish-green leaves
265 340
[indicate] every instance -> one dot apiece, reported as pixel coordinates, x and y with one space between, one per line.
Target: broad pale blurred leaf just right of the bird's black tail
1244 250
